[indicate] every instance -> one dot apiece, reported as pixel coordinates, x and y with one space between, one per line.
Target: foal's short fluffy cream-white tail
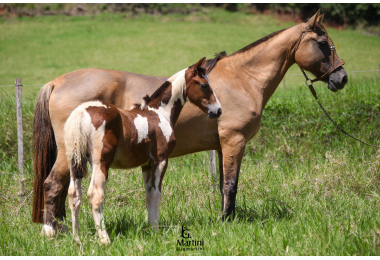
77 131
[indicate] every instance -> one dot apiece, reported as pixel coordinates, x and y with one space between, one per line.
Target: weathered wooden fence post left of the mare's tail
20 139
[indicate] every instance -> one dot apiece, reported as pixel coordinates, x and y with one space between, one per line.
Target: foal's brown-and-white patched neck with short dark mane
170 98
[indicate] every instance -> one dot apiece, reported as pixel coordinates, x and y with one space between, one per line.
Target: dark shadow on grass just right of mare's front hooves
271 208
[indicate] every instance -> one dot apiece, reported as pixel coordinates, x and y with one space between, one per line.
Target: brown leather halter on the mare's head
332 49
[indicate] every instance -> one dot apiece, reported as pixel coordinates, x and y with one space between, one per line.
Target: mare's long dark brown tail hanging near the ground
44 149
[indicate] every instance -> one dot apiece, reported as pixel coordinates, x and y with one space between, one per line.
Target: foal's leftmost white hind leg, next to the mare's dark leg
75 195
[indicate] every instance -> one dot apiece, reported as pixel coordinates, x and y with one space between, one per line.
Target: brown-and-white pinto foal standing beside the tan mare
143 136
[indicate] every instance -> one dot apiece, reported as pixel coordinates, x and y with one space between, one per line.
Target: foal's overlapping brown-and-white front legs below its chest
153 175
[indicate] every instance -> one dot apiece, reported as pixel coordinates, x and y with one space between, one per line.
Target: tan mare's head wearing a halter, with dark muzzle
315 52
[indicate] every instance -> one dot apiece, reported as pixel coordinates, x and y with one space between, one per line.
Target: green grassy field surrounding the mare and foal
304 188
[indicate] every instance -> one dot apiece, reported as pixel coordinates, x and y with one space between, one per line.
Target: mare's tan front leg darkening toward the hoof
233 145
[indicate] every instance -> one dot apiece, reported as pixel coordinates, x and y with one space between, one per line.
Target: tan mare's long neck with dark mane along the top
264 65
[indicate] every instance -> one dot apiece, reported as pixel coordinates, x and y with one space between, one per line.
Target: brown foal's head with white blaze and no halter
199 91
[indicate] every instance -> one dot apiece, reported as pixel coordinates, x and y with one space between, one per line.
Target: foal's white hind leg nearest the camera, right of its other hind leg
96 196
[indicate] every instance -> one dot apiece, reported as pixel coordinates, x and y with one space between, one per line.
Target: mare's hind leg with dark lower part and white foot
55 186
